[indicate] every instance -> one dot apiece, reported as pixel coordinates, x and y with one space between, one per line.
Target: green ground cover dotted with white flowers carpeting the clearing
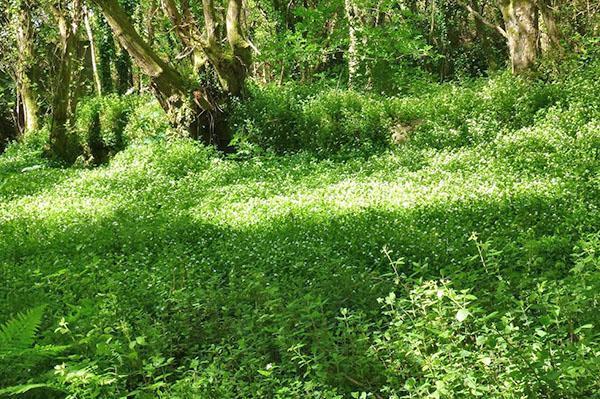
187 271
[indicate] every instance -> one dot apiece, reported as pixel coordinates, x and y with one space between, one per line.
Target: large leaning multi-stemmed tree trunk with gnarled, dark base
187 104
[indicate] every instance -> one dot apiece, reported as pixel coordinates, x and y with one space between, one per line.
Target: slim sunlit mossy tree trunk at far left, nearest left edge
25 76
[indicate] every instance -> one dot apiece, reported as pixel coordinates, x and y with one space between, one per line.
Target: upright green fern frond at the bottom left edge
18 334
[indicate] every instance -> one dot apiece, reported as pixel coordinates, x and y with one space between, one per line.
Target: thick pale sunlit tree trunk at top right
522 29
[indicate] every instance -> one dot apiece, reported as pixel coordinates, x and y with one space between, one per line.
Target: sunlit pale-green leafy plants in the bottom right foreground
440 341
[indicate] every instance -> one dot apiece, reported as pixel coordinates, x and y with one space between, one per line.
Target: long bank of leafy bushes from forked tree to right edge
287 119
